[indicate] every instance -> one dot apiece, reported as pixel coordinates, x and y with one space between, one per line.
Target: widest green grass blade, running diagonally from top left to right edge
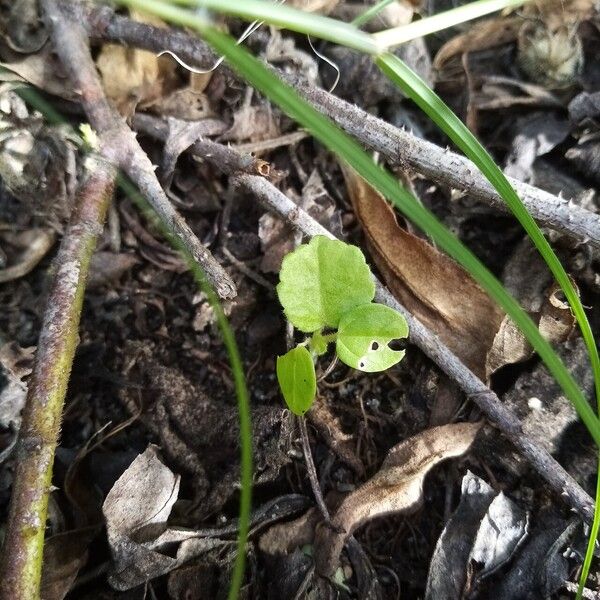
347 149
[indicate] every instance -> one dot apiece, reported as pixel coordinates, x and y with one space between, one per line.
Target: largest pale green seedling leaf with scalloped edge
322 280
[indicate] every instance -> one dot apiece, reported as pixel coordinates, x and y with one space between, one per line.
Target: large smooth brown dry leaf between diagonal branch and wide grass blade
434 288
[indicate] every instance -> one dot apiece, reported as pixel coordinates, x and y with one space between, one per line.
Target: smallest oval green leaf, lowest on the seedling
297 379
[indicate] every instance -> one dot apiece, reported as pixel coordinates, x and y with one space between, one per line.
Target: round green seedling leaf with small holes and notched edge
364 335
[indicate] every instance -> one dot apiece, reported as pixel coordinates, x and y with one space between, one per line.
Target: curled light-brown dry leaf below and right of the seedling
396 488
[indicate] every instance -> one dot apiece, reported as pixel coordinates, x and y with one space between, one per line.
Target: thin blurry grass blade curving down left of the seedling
34 99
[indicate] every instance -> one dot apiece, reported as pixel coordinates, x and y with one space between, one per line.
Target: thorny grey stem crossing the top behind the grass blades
396 145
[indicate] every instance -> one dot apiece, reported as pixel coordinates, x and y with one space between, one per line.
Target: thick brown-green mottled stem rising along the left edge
20 569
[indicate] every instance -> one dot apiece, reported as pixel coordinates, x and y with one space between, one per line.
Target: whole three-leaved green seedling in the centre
327 285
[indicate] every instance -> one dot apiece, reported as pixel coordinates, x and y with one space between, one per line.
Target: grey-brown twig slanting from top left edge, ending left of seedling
70 43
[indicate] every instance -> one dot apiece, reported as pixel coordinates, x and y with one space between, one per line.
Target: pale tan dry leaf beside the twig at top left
133 77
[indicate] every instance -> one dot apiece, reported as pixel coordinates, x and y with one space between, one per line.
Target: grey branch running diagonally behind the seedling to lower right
559 480
